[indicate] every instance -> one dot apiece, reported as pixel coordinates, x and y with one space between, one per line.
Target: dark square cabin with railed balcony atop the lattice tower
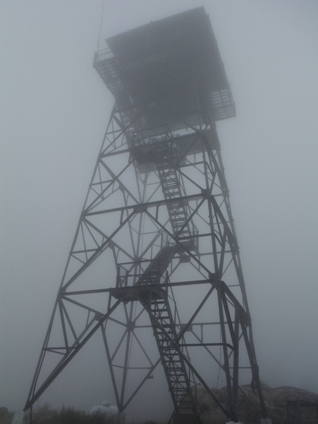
170 70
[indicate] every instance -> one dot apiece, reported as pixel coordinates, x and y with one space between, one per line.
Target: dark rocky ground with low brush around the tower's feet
275 400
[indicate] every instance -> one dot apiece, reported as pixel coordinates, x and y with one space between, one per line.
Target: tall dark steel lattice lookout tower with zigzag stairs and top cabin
155 256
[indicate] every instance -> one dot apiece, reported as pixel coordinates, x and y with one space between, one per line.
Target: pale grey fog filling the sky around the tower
54 111
